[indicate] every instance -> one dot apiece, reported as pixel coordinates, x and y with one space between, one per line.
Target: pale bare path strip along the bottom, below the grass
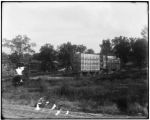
10 111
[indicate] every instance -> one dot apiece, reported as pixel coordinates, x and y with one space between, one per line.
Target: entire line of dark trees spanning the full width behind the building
127 49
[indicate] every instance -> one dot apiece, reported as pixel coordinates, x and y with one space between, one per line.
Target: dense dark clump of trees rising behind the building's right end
133 50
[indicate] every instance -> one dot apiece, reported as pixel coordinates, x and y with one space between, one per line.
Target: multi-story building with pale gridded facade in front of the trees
94 63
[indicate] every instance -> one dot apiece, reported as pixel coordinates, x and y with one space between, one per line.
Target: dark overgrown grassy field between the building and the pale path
124 93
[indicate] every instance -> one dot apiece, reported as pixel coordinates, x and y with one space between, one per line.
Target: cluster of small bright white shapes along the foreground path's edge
41 102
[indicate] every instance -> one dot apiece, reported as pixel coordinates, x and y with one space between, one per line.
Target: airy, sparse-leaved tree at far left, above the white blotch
19 46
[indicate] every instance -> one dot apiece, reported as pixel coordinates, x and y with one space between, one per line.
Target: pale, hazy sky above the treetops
86 23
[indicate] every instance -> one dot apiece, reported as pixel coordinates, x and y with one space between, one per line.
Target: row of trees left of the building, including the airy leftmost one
22 51
